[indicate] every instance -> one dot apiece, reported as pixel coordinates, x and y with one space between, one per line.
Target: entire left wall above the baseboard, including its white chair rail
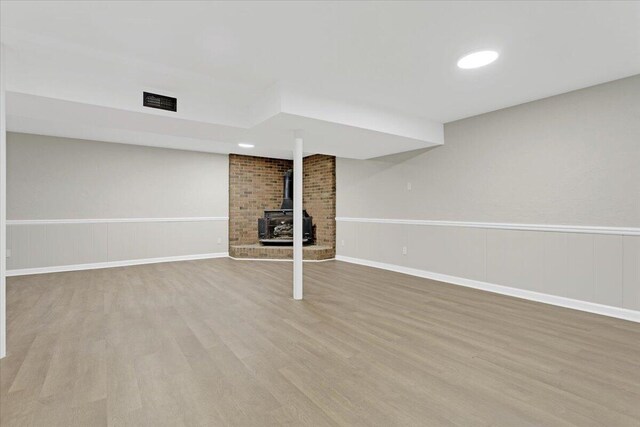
76 202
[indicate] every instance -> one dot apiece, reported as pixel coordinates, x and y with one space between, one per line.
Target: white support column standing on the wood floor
297 217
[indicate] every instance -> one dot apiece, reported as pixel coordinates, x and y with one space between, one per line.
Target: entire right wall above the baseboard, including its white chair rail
570 160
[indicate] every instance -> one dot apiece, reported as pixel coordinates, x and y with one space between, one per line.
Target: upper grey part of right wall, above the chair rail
569 159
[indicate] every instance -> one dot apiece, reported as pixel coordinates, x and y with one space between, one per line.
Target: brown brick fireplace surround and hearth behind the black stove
255 184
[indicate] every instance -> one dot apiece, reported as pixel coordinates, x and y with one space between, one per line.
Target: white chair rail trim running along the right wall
627 231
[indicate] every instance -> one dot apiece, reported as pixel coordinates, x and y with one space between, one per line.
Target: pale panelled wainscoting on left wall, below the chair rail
58 244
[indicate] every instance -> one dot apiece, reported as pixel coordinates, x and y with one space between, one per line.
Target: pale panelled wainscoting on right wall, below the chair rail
591 267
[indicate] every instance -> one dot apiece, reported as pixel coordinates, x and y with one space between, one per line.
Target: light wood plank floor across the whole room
220 342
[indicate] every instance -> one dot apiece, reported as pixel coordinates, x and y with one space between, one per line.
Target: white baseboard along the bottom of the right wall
605 310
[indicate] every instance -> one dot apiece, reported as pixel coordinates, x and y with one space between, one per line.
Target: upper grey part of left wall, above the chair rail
51 177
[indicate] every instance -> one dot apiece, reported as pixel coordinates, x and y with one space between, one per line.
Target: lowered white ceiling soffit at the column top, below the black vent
356 134
